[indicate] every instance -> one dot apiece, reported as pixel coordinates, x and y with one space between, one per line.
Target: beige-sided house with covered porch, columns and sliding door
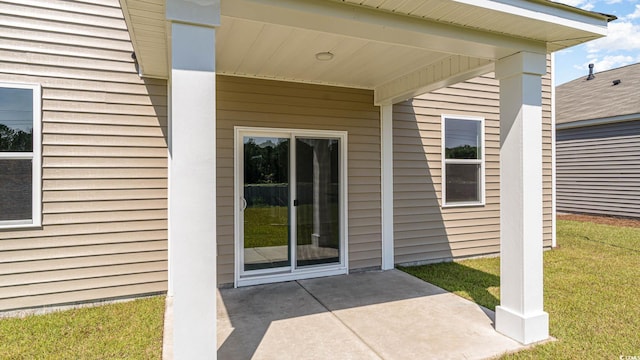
178 145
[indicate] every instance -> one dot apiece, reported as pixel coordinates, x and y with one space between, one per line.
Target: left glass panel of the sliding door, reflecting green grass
266 203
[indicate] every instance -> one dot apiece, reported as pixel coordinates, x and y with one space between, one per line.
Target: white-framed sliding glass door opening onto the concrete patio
290 205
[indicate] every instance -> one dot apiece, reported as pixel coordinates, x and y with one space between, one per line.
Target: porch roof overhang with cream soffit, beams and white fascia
398 48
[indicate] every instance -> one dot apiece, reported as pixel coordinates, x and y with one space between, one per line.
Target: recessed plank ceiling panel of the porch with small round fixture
247 48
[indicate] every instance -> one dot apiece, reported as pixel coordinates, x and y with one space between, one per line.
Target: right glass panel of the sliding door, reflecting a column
318 201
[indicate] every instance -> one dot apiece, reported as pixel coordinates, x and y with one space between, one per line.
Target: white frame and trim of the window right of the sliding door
463 161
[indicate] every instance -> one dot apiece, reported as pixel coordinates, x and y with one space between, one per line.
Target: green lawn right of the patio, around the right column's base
592 291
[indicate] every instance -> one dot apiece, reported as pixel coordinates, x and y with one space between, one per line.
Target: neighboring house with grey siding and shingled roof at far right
598 143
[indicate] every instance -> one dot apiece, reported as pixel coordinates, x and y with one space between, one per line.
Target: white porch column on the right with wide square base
520 314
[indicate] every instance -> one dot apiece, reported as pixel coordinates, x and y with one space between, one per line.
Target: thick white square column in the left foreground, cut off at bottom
192 190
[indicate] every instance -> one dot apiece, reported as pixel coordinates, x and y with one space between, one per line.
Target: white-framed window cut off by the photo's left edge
19 155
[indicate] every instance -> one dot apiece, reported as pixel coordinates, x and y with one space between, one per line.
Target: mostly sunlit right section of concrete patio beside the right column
402 317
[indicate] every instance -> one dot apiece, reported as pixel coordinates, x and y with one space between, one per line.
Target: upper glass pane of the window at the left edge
16 120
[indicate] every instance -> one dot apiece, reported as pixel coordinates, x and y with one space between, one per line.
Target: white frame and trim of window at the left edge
36 156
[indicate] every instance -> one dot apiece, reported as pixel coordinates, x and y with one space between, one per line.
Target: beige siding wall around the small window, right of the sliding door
424 231
